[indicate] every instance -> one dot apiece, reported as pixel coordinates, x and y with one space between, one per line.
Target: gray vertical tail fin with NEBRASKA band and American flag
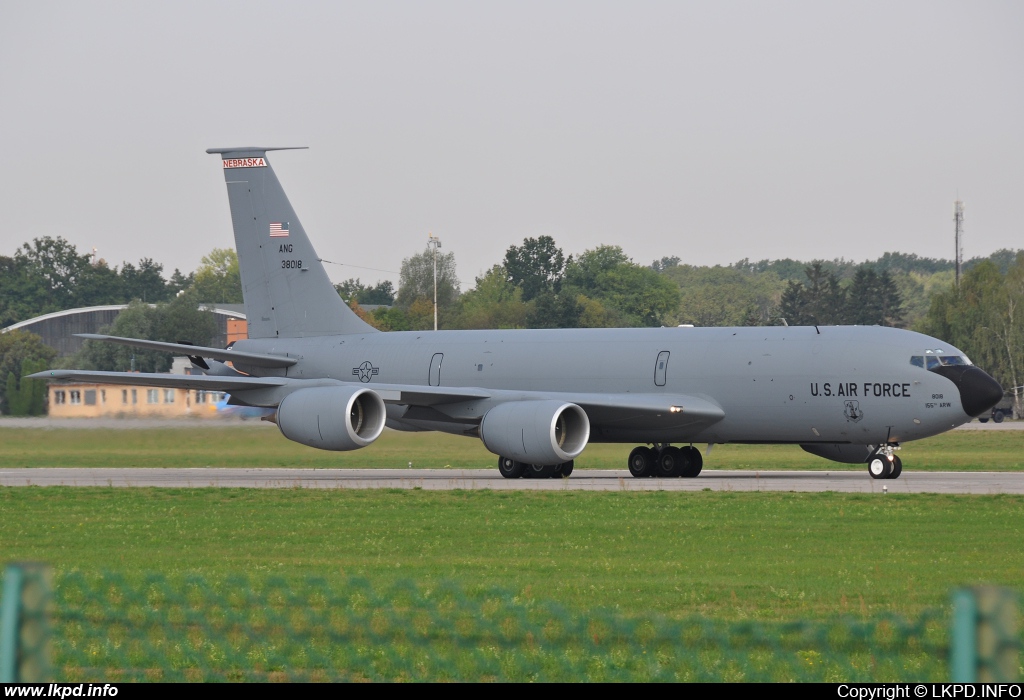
286 289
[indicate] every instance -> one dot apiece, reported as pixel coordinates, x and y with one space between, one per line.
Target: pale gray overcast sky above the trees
711 132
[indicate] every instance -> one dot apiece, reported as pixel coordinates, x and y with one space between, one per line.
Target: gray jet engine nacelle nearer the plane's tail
332 418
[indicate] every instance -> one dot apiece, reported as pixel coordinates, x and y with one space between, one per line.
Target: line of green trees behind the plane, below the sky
537 285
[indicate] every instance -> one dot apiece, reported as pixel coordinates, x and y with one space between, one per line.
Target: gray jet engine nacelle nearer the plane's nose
536 432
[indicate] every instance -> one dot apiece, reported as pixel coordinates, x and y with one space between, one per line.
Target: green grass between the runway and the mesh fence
767 556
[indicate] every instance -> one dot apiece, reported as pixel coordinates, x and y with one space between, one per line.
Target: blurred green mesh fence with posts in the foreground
110 628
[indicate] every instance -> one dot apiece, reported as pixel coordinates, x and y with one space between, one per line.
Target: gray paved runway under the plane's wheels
475 479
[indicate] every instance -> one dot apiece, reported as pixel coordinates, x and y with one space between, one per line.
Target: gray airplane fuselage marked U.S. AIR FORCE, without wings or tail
793 385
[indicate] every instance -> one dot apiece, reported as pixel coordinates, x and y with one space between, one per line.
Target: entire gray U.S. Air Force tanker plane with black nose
537 398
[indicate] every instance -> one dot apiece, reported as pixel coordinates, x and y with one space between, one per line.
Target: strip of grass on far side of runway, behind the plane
248 446
